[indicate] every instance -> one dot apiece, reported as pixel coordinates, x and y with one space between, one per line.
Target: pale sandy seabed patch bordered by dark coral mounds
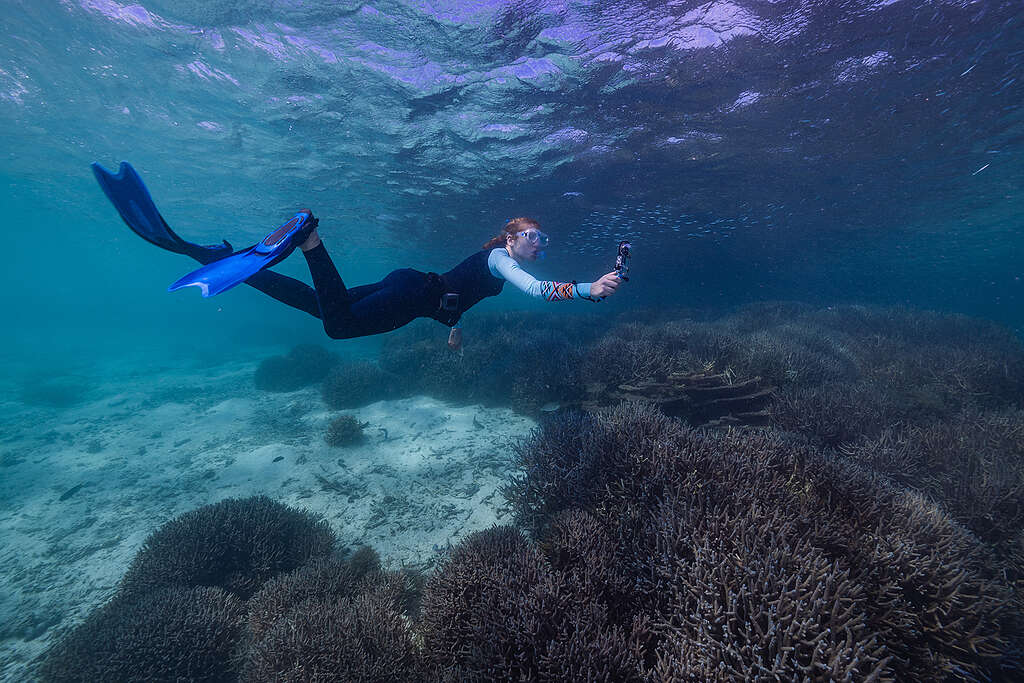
82 488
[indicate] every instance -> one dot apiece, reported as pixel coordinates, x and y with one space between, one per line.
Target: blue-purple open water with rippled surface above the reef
826 151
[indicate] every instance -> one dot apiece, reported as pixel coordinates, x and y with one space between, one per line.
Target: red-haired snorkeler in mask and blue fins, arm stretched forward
370 310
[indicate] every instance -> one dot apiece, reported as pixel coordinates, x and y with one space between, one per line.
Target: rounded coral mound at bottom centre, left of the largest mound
496 611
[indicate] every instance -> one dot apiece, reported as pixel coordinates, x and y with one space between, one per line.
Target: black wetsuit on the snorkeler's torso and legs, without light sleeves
399 300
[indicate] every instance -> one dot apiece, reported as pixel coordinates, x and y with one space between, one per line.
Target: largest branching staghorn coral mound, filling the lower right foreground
755 557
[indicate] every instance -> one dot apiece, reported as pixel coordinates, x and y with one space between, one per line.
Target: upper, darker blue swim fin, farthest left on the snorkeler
130 196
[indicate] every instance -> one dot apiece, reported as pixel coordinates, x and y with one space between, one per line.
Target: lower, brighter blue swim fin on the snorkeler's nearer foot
235 270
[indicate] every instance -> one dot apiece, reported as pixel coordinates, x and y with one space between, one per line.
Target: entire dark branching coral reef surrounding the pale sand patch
786 494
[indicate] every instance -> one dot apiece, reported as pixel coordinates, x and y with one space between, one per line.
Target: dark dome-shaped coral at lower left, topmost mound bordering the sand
237 544
